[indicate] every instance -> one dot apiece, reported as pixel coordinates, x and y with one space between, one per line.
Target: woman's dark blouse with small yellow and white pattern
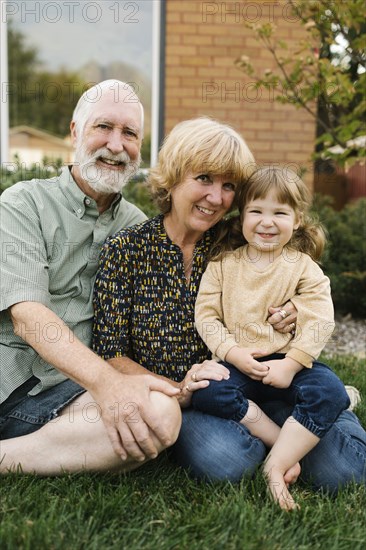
143 306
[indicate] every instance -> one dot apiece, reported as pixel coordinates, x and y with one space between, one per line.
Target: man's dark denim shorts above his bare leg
21 414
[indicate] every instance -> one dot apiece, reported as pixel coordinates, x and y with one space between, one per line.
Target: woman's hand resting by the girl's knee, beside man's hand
198 377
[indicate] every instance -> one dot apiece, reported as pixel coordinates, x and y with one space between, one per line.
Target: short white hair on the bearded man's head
90 97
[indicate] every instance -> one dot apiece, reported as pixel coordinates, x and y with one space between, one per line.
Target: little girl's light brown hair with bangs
289 189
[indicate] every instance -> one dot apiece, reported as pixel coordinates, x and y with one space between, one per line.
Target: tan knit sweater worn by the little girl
234 297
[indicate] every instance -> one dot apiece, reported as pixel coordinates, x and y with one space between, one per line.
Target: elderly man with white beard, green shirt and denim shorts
62 407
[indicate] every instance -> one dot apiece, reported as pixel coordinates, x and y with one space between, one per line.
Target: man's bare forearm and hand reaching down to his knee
114 392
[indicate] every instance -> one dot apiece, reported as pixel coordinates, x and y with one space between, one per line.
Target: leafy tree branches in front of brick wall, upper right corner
325 75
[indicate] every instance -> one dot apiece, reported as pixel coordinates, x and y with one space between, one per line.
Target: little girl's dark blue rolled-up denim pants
317 394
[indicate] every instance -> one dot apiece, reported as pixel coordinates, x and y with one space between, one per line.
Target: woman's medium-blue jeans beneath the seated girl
218 449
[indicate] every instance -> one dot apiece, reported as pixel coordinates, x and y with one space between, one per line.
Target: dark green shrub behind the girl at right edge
345 258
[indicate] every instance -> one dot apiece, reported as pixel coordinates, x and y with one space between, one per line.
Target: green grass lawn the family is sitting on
159 507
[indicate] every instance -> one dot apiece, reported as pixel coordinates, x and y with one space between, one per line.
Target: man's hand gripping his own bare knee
128 415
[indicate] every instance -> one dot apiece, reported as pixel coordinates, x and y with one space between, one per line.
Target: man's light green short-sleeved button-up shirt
51 234
